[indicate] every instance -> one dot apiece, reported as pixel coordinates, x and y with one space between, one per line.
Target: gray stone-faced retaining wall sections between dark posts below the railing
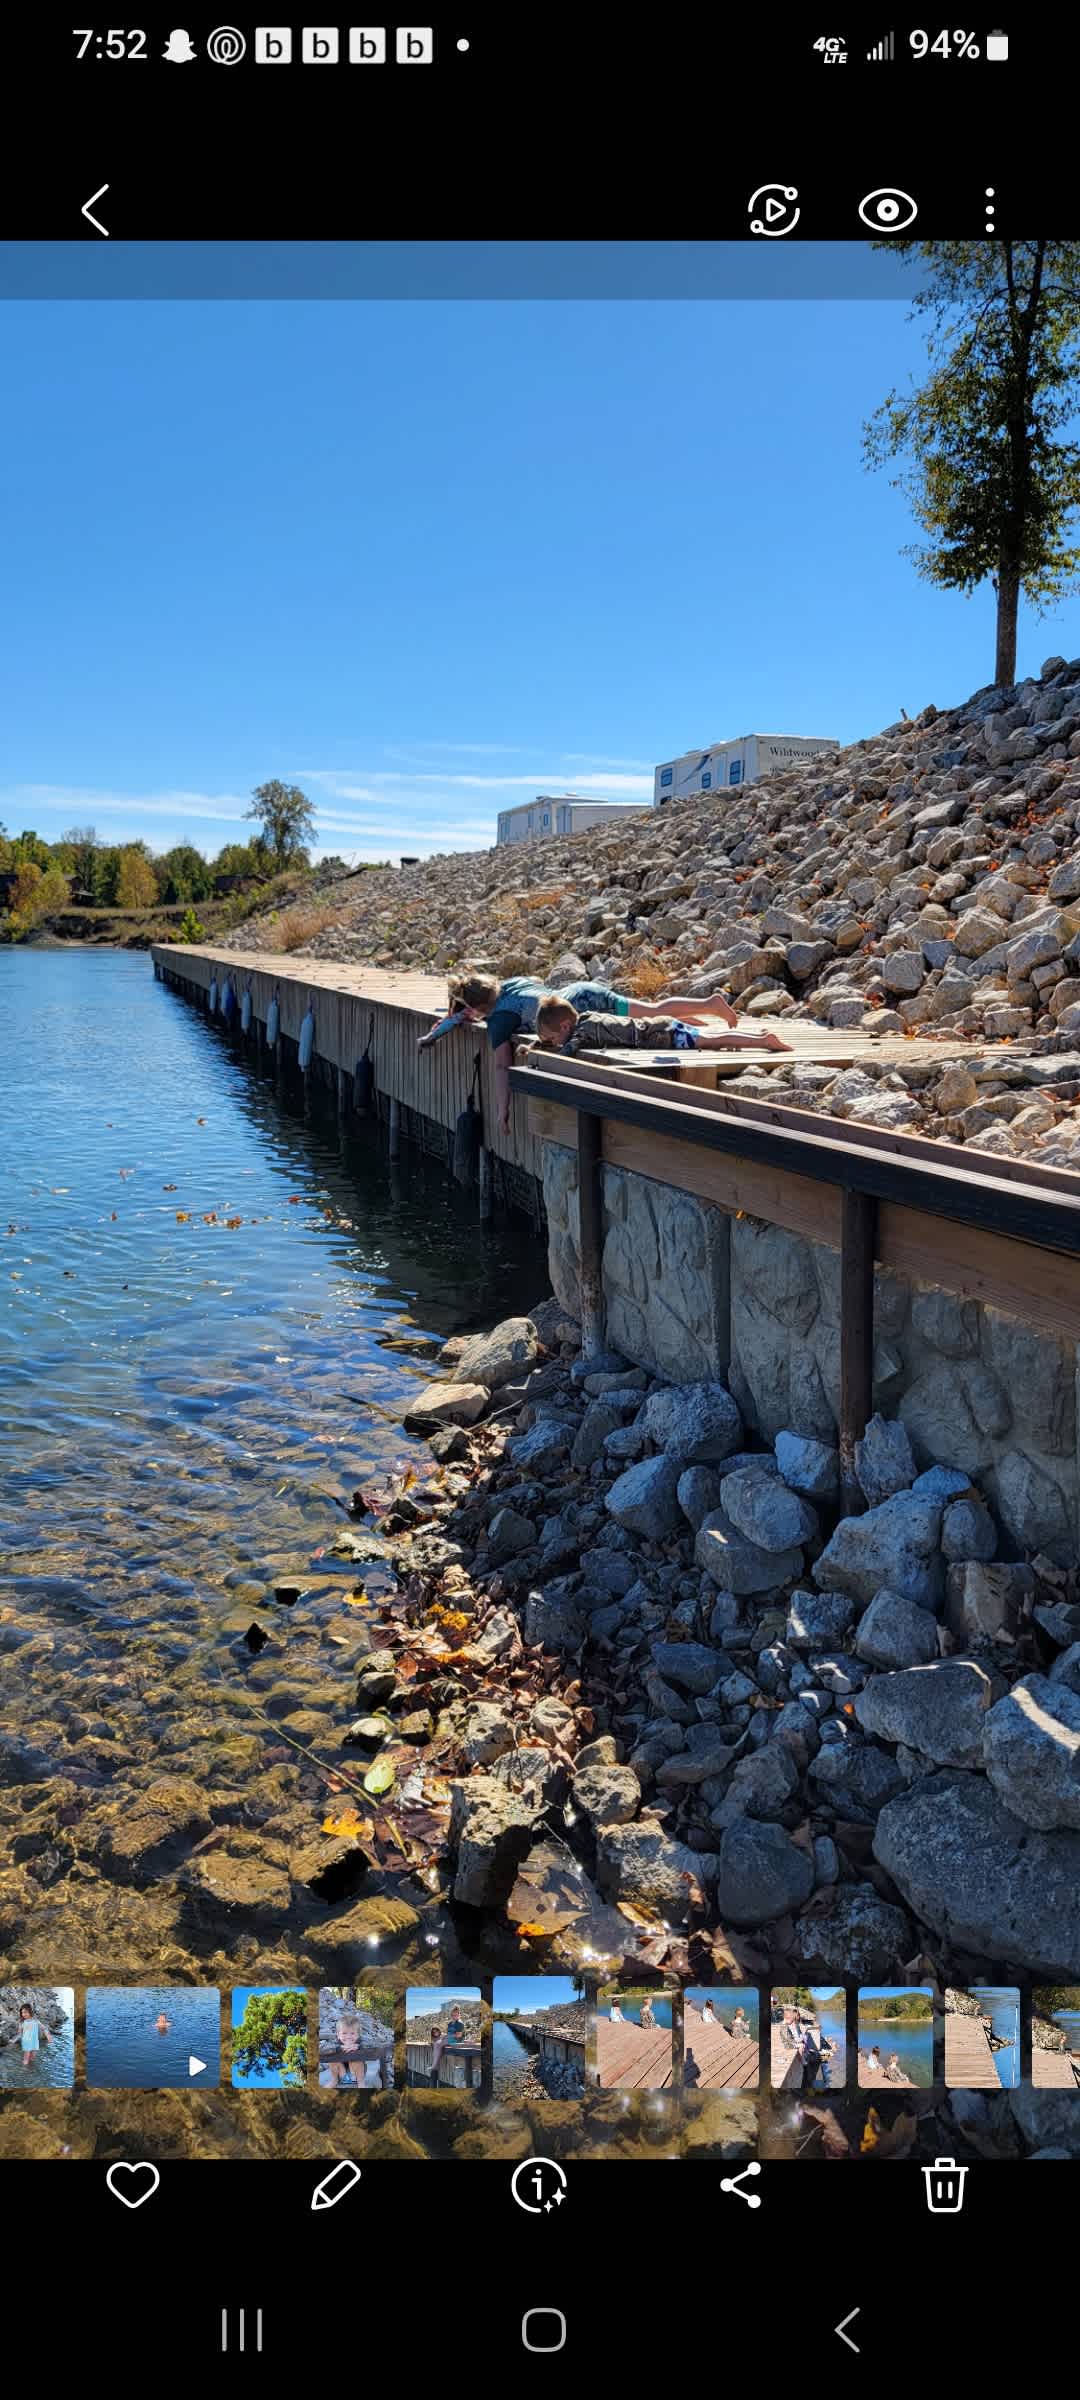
695 1292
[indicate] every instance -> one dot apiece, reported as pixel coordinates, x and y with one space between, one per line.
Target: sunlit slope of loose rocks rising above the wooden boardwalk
920 882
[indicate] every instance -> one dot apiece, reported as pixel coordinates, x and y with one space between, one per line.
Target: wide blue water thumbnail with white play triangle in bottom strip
152 2039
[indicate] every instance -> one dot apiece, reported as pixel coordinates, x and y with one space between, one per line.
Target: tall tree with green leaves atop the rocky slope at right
992 476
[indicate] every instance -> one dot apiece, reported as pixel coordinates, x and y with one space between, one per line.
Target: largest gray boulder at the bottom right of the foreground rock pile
983 1878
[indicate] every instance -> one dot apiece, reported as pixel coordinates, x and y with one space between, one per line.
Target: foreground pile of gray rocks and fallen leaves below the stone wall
704 1722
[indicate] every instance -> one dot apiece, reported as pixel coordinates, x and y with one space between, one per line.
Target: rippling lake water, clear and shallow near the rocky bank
210 1316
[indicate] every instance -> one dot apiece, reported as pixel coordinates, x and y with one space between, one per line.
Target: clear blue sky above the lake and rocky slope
433 558
